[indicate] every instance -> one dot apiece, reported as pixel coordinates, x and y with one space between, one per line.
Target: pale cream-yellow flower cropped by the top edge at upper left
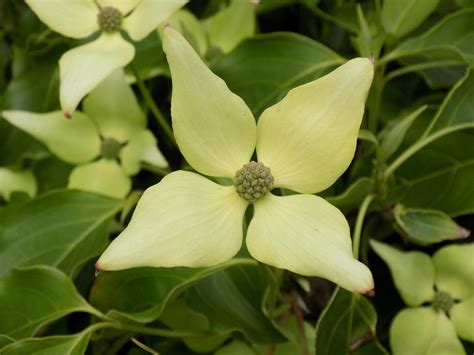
84 67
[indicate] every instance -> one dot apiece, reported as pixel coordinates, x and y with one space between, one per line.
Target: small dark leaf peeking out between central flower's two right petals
352 197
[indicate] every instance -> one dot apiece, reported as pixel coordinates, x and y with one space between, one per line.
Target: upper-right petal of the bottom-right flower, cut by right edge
454 265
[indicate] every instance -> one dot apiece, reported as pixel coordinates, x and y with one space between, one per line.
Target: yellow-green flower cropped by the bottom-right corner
440 293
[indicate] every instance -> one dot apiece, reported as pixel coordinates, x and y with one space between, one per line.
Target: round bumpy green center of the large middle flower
253 181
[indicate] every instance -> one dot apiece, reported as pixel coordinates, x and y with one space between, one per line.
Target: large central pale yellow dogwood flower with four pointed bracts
303 143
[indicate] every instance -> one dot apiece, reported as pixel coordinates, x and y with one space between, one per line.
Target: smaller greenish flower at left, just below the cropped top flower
112 128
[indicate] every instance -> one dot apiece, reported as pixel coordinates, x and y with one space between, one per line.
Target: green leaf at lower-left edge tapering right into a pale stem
34 296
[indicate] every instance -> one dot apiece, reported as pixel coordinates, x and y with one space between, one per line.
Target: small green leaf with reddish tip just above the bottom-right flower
426 227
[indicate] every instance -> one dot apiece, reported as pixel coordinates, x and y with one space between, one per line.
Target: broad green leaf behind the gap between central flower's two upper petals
261 70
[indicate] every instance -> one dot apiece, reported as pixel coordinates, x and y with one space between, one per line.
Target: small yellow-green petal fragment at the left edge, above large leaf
16 180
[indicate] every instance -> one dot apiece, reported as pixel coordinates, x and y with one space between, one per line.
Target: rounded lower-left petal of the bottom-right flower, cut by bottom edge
424 331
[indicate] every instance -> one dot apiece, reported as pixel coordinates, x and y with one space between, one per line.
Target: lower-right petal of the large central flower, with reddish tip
307 235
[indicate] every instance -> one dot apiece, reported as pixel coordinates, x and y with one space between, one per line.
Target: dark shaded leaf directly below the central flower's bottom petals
232 300
